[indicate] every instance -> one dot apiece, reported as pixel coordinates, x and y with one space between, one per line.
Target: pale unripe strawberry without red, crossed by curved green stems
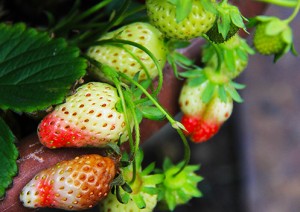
125 58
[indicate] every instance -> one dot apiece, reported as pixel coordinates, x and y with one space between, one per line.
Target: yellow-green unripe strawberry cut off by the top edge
162 14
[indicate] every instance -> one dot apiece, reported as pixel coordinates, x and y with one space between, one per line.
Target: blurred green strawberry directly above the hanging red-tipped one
234 53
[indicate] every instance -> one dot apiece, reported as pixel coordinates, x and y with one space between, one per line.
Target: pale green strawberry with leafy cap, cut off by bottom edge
144 190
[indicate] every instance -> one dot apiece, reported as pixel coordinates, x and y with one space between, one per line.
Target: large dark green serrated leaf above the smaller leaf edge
36 71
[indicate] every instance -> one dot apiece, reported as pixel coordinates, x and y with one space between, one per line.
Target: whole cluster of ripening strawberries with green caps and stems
119 92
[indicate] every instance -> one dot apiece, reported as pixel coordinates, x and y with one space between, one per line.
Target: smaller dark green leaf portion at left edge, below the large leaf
8 157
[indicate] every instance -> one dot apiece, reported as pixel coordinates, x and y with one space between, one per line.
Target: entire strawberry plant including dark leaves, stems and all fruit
91 76
